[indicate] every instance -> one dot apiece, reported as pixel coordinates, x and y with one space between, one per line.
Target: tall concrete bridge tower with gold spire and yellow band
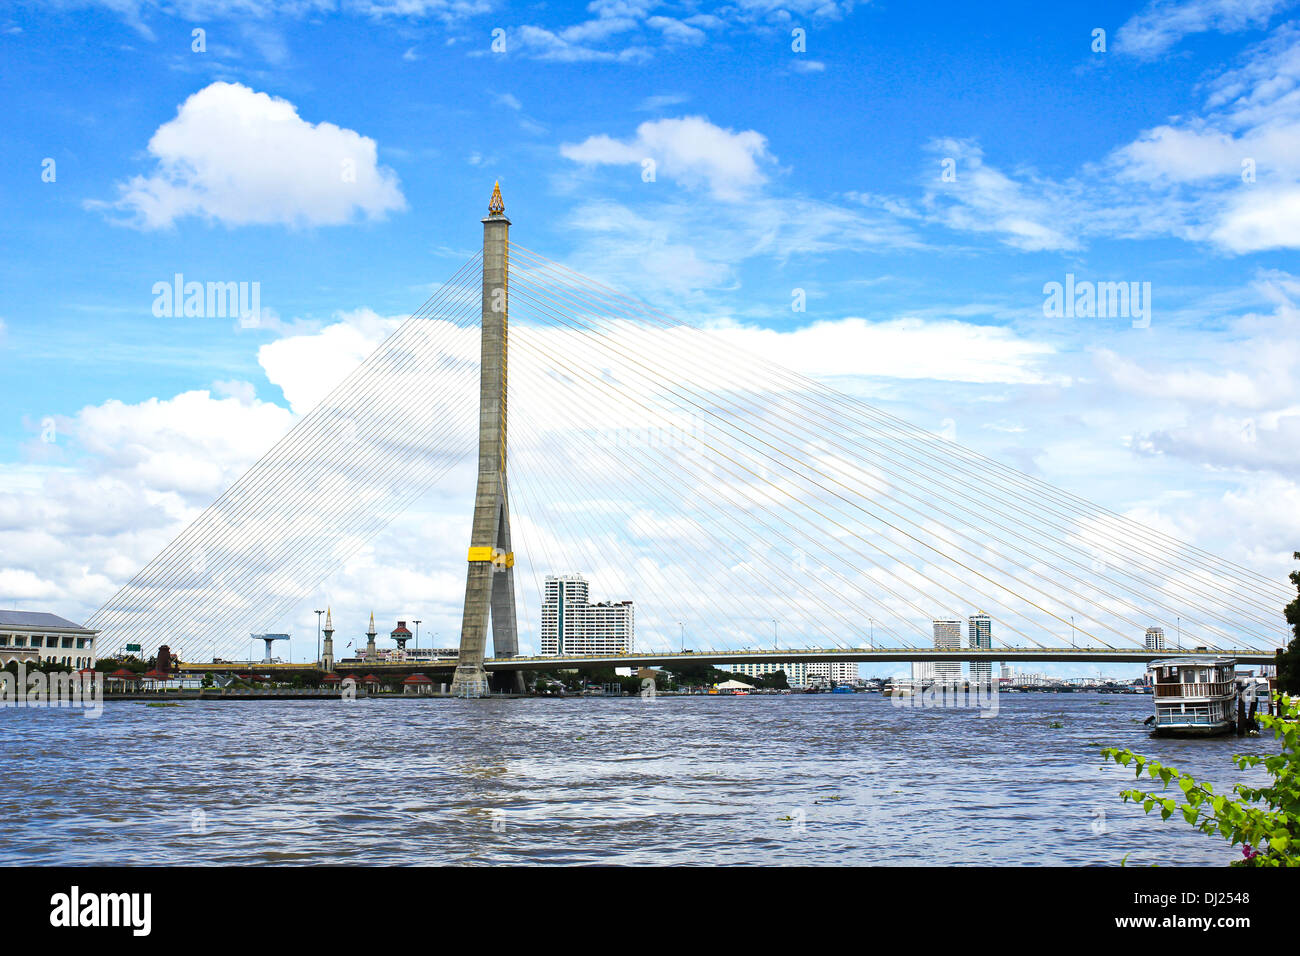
491 581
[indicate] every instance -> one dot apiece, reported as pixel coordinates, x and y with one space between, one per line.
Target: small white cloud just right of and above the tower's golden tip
691 150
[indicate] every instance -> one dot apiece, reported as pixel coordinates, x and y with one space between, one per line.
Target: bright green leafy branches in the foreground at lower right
1266 820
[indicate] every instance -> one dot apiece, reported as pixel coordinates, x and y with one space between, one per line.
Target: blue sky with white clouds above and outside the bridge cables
777 171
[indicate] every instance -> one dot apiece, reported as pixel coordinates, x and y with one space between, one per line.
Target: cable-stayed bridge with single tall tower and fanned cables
674 469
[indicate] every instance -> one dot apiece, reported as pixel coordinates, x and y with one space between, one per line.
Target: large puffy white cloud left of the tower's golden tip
237 157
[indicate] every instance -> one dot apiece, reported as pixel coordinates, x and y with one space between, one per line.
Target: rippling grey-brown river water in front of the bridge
794 780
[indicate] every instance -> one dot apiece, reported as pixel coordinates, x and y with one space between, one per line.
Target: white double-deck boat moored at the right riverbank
1194 697
